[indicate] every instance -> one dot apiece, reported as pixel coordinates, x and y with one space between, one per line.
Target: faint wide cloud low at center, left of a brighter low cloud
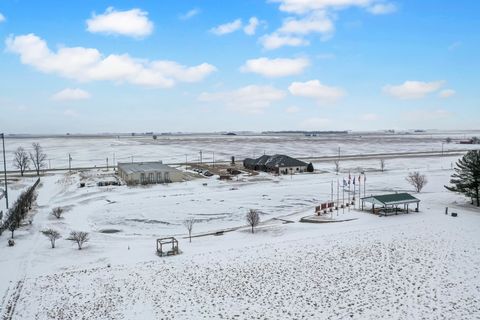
250 99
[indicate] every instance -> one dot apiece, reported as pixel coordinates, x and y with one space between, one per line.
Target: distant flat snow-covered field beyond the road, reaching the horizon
94 151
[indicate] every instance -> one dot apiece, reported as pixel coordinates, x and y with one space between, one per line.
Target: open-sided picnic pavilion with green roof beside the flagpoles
391 203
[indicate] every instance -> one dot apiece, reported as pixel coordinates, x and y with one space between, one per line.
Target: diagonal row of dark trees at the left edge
19 210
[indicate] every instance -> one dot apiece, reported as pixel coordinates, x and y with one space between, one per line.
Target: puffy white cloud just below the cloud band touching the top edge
315 23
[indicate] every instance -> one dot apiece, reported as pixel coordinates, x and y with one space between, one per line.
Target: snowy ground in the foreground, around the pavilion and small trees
421 265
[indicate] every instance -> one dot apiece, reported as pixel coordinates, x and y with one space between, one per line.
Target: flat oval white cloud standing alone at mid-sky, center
275 67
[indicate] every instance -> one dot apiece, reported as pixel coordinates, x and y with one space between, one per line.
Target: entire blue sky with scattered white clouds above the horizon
200 66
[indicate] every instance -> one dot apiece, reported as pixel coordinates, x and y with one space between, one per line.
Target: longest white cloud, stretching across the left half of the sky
87 64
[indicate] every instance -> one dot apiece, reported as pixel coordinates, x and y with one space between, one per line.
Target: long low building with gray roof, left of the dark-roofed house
148 173
